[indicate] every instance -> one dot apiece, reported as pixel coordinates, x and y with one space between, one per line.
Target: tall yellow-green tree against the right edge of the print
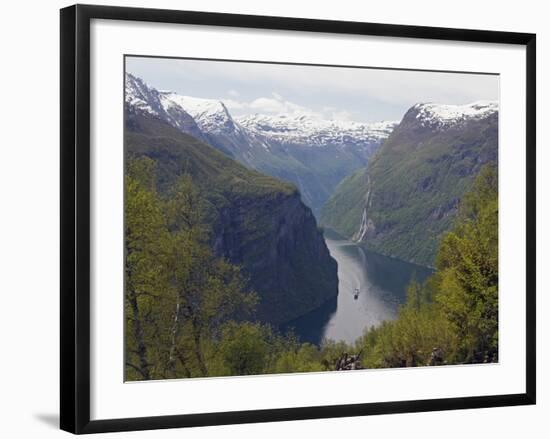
467 271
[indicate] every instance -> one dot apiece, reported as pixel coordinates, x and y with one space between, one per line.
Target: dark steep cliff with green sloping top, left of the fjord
258 222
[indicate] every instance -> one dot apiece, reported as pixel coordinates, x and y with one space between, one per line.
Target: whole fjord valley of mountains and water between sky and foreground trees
314 210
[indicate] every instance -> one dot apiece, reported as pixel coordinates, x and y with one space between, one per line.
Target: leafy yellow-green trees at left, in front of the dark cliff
178 293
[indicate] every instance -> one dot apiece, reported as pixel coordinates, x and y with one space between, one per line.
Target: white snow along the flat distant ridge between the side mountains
312 131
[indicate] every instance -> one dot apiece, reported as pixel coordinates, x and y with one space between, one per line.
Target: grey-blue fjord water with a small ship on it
382 284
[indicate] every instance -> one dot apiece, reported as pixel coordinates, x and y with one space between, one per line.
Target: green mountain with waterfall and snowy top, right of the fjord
407 197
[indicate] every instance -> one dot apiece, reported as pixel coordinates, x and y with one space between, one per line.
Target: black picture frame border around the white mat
75 217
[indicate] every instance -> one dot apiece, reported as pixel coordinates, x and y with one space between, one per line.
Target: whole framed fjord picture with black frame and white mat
268 218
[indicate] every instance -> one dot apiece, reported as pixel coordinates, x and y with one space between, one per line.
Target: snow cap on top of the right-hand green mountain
444 116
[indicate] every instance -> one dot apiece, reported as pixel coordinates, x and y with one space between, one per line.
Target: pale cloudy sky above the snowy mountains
361 94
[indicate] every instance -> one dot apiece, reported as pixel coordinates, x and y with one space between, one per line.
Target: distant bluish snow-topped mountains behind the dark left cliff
314 155
